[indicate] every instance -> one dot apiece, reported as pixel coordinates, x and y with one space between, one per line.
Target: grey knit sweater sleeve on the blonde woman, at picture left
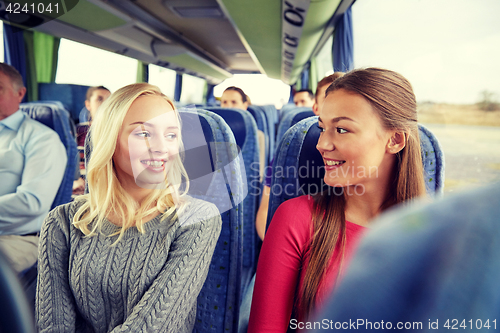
55 307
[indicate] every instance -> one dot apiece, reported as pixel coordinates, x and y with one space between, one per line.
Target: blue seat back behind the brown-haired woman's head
299 167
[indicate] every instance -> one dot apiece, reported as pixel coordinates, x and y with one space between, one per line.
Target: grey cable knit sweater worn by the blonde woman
146 283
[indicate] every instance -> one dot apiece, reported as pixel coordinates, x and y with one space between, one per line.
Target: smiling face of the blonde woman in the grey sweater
147 144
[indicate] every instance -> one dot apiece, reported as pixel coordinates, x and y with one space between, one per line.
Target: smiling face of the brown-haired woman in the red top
353 142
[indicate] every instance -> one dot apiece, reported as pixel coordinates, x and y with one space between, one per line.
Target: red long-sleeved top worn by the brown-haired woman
279 268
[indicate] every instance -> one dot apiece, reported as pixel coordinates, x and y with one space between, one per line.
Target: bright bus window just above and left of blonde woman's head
87 65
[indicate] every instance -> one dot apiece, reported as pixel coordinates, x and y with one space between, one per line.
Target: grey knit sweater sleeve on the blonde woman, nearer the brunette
167 304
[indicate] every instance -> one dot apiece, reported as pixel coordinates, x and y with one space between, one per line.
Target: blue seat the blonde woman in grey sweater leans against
215 166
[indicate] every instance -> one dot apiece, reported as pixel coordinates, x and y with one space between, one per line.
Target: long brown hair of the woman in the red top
392 98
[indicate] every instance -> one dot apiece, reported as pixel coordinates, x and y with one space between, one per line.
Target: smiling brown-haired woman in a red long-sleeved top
370 146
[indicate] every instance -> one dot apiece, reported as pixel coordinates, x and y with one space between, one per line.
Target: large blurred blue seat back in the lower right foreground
436 268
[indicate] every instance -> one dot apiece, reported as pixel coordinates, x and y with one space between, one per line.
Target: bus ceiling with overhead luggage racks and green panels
212 39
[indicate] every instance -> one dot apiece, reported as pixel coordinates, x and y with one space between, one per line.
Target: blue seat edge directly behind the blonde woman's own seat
244 129
